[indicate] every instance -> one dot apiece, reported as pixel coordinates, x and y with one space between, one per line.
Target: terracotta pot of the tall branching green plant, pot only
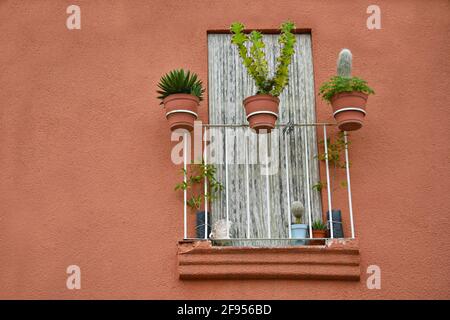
261 111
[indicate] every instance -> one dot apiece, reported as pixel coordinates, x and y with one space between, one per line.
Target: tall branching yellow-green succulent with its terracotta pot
262 109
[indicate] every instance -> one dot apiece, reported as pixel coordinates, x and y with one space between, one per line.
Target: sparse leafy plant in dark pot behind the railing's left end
194 184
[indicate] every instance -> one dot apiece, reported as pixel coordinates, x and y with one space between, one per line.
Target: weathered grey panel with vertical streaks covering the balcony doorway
229 84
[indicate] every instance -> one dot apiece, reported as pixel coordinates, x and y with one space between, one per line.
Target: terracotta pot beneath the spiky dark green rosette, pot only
181 110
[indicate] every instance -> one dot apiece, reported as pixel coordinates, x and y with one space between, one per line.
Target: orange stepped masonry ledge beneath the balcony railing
338 259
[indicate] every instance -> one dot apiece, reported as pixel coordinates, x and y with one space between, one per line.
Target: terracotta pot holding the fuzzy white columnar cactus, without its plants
349 109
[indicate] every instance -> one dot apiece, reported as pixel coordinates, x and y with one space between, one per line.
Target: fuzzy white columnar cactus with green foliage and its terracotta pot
347 95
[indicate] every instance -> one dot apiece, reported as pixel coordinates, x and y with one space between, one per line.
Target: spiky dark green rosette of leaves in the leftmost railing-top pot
180 81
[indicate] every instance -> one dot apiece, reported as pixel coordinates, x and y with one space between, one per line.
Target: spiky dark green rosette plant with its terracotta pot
181 92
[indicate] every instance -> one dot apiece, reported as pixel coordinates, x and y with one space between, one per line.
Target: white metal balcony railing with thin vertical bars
285 130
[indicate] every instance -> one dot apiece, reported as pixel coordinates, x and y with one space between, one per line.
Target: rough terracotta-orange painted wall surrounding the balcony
85 170
